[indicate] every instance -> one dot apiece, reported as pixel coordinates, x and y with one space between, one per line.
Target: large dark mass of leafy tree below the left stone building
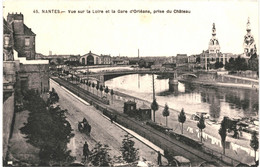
47 129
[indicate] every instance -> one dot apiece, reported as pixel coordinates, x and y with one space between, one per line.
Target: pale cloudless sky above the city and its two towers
155 34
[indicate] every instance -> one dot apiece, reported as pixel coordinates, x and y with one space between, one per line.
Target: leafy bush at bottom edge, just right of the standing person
99 156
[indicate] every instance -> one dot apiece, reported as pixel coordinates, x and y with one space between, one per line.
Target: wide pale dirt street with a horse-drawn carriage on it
102 129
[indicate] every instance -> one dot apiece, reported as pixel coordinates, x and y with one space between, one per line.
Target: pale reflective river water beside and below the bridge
217 101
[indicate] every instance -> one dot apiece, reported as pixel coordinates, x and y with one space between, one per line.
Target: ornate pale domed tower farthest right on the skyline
249 41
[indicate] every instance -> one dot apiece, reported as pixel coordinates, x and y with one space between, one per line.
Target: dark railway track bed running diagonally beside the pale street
159 139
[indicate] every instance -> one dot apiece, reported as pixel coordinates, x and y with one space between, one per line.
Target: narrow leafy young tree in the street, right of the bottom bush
129 153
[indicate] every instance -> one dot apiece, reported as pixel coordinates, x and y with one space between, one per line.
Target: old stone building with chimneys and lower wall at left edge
20 71
